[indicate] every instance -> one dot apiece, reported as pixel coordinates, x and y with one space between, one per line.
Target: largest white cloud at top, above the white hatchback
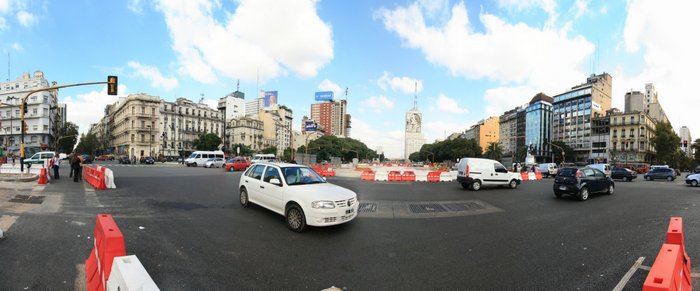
262 38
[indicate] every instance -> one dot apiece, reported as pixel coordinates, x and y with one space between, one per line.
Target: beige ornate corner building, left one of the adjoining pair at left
133 124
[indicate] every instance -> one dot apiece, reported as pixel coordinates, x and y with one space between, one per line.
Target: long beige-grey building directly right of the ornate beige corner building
183 121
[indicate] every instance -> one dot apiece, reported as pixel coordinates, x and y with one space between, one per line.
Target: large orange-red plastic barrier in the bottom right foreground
671 269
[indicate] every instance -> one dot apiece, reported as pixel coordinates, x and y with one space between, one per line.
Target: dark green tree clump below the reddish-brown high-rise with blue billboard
346 148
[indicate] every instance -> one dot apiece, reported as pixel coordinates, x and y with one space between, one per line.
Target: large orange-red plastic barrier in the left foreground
108 243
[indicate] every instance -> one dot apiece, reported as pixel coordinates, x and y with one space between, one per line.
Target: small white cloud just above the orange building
501 99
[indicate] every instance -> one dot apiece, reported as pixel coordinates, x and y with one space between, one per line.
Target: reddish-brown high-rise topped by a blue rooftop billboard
332 117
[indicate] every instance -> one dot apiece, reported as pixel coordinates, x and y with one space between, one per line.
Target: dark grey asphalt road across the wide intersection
189 231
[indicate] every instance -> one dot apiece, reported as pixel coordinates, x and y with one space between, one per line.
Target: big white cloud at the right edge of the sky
660 34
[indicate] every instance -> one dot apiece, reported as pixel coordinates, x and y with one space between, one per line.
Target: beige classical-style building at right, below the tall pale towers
630 135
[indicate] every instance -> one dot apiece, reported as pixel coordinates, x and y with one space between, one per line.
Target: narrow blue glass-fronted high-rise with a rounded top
538 127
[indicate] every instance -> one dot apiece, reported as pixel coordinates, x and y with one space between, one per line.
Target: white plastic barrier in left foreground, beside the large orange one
129 275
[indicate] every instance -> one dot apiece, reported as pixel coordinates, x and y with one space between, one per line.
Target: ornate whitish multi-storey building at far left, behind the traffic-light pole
41 117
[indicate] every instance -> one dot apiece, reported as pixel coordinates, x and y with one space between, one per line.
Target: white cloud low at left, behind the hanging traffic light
88 108
